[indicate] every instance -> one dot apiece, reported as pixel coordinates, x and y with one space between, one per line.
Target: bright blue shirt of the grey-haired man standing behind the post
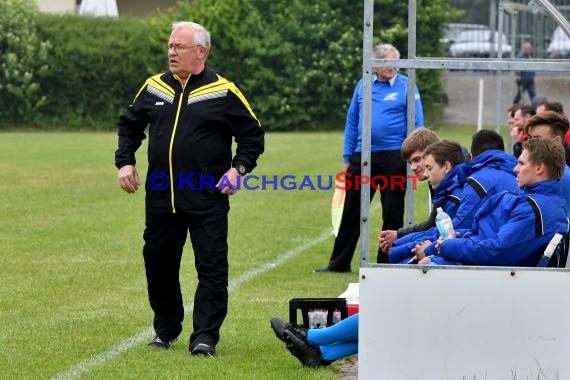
389 115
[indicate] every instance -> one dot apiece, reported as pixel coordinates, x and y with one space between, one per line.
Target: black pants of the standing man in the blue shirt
389 165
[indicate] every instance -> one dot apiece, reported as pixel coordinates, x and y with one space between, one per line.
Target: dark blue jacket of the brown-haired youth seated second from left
447 196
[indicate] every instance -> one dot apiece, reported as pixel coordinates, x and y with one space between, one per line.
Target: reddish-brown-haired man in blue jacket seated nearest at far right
512 229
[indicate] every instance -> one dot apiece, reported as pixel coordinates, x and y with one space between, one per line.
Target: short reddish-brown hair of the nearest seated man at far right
548 151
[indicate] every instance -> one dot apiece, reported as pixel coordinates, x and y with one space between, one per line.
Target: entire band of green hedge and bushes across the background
297 61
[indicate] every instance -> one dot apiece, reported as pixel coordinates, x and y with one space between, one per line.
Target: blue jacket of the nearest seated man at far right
510 229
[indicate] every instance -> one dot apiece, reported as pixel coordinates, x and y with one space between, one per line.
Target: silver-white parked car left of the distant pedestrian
477 44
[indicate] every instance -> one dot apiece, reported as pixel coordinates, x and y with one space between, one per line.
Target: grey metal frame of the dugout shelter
499 65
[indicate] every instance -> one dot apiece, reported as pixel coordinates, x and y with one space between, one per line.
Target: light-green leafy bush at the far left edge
23 60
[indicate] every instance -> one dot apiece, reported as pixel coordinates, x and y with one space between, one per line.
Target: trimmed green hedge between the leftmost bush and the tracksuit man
96 67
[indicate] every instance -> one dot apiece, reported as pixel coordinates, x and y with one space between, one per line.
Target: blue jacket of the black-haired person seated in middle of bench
489 173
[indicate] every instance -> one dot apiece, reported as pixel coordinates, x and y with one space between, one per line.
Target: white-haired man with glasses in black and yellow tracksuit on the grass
194 114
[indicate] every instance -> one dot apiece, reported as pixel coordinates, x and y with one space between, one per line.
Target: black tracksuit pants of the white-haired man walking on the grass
165 235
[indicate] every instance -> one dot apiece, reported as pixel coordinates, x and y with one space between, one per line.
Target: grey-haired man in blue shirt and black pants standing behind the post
389 129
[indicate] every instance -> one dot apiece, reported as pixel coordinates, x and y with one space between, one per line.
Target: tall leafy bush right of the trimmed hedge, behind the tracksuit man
298 61
